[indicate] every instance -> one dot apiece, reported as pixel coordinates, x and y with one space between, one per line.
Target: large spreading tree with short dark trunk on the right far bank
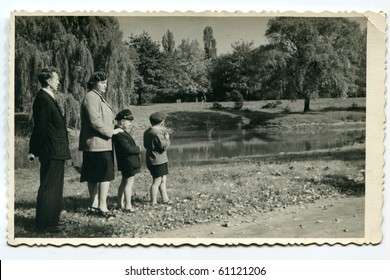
322 55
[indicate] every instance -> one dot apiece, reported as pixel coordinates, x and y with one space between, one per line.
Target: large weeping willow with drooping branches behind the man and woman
77 47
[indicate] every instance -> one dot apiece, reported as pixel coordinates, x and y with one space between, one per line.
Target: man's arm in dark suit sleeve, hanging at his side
41 115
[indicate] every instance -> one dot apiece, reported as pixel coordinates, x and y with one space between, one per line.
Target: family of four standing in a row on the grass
99 137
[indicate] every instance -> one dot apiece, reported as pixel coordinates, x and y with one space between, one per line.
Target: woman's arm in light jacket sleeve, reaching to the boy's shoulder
93 107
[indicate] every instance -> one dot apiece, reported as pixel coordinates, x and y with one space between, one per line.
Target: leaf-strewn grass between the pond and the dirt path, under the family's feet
201 194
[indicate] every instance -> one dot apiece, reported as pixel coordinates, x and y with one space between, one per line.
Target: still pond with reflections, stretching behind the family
201 145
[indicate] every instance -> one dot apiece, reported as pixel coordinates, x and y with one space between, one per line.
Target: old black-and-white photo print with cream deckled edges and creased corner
196 128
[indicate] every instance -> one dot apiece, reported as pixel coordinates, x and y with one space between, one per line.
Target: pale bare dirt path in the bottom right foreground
330 218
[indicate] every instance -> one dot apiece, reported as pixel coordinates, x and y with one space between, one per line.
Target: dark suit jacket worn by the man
49 138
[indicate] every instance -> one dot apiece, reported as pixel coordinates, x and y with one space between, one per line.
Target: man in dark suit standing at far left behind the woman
49 142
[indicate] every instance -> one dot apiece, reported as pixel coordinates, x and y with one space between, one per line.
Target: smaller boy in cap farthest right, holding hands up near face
156 143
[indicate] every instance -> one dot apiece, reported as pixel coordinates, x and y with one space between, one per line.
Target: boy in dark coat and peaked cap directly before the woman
127 157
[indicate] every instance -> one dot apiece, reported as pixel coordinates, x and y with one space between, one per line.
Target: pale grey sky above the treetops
226 30
